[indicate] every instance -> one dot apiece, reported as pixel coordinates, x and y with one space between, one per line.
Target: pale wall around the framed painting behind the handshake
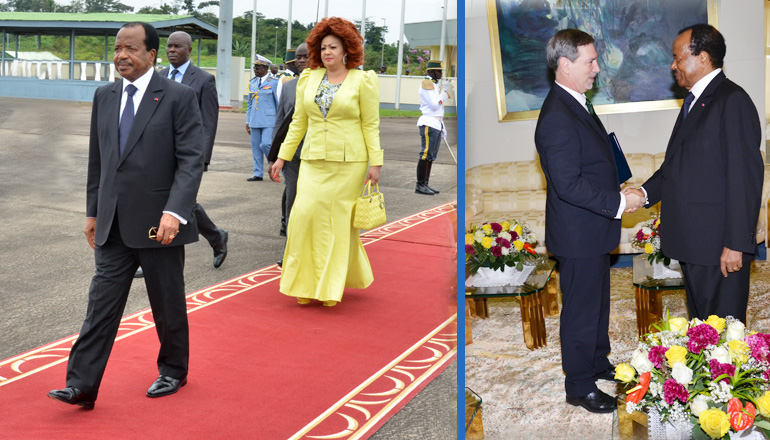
489 141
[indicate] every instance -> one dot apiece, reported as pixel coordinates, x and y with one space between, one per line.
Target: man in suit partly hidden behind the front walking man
178 50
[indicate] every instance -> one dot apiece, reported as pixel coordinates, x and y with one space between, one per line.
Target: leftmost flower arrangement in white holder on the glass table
492 248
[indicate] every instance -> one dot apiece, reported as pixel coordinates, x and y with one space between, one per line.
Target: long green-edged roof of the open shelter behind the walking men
54 23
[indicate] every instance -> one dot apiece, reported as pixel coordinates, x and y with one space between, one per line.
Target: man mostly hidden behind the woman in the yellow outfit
282 120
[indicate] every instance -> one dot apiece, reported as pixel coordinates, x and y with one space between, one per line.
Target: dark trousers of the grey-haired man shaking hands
585 316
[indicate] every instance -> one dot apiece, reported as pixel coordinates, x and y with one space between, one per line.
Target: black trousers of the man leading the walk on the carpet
115 267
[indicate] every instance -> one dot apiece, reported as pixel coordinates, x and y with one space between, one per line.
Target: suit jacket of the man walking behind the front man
208 101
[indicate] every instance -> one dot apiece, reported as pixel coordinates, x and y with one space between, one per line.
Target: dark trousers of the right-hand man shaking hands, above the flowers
710 293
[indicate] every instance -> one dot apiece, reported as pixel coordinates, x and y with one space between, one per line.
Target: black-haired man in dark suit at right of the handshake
710 183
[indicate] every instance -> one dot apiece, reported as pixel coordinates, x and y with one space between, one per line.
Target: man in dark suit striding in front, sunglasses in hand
144 168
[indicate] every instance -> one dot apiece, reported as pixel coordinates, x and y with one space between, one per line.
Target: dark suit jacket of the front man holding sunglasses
160 169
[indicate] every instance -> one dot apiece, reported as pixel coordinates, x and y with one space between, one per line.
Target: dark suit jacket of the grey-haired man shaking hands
583 193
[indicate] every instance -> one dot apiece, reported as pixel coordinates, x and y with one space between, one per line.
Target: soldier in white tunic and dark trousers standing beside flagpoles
431 124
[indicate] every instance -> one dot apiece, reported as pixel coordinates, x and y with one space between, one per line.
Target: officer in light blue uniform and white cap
260 116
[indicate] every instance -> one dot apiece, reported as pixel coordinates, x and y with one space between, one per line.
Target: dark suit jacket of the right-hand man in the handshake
710 182
